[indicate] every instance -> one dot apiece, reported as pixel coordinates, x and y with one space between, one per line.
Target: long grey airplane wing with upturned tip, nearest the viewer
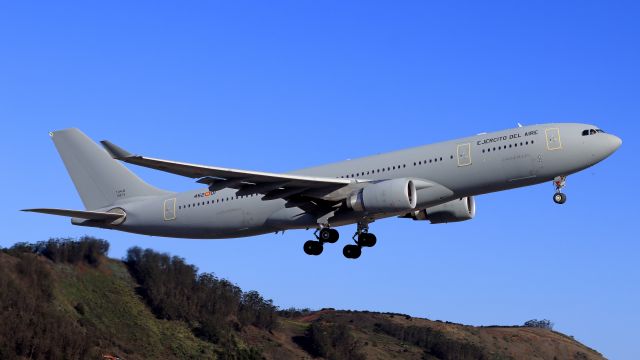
273 185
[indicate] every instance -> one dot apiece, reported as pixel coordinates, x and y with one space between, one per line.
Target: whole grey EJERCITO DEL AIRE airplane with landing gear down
436 183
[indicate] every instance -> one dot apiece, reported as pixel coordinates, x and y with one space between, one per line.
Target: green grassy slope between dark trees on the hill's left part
112 310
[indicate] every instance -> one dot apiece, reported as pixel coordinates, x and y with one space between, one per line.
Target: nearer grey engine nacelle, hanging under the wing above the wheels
386 196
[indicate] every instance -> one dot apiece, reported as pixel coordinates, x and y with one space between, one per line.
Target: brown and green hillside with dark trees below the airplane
67 300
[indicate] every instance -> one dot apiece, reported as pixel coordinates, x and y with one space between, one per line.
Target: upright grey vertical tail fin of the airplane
99 179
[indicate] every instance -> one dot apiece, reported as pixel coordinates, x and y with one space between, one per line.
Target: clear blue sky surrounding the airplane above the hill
277 86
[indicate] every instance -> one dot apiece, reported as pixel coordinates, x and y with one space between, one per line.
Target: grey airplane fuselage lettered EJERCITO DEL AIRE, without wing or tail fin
465 167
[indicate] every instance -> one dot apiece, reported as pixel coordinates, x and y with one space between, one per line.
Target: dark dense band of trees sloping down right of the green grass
212 307
